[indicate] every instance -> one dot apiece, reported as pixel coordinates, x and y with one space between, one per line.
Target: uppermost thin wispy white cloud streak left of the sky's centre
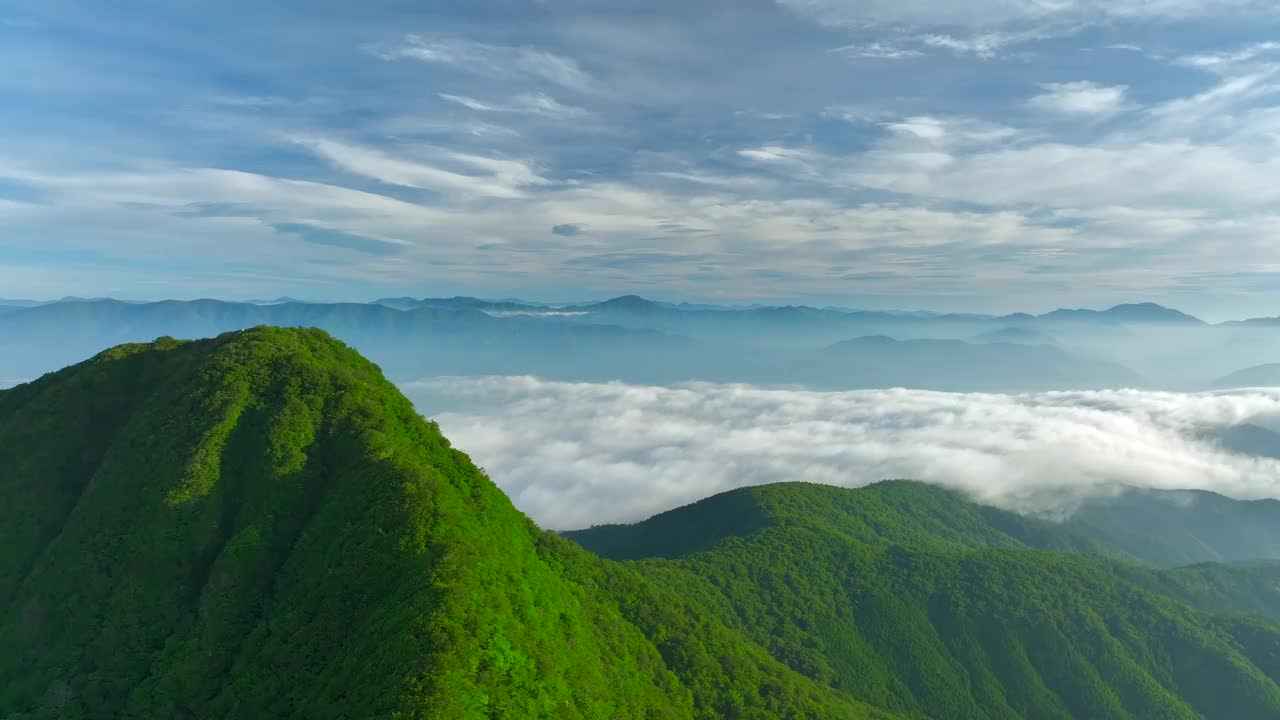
492 61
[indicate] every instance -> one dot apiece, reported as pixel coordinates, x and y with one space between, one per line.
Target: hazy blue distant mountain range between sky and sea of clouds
639 340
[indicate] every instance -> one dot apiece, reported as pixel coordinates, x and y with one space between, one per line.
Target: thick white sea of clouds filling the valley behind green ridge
573 455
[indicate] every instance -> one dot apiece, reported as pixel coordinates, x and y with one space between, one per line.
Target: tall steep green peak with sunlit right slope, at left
262 526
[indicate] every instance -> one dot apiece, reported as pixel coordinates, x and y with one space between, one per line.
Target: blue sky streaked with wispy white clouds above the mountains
989 156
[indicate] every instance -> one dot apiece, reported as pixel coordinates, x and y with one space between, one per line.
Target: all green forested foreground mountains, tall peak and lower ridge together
260 526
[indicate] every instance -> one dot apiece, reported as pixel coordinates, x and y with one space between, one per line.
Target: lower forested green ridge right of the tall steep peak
913 600
